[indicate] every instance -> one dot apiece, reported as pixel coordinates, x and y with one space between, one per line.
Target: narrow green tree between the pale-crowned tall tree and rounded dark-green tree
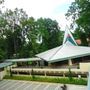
30 33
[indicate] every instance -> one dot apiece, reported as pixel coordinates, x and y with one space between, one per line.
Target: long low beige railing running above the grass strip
48 72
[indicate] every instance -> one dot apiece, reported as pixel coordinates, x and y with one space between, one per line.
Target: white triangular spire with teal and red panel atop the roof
68 37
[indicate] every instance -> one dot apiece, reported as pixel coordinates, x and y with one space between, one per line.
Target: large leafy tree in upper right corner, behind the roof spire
79 11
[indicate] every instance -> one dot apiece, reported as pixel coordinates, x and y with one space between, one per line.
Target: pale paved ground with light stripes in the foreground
29 85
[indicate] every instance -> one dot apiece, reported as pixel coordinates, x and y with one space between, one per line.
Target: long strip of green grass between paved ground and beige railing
52 80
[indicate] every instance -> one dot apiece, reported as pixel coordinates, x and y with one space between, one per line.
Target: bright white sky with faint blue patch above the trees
54 9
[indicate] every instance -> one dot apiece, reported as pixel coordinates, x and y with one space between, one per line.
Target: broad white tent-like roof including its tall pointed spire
67 50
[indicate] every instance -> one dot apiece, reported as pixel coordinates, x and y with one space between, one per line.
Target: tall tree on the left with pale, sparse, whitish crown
11 28
